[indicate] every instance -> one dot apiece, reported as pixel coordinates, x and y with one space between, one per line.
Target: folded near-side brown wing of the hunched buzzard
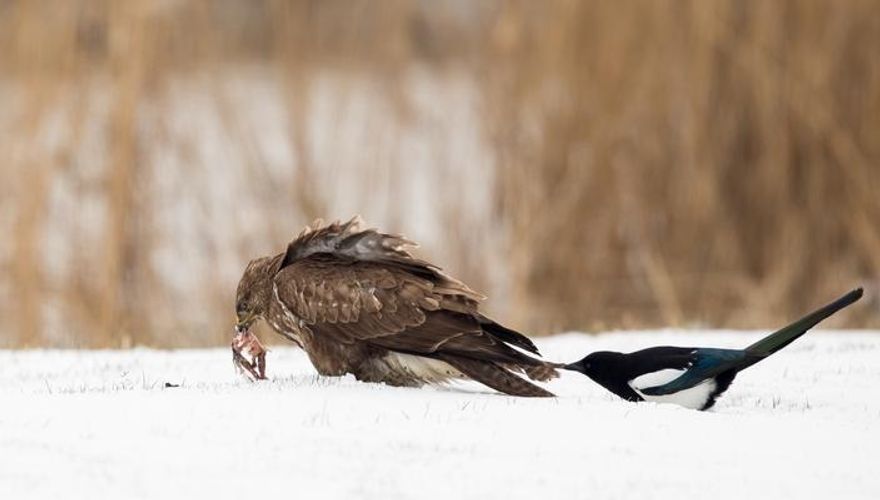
351 300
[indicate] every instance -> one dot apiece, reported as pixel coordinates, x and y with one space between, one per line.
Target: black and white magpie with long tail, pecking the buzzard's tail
692 377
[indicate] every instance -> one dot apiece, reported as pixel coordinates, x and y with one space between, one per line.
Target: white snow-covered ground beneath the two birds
102 424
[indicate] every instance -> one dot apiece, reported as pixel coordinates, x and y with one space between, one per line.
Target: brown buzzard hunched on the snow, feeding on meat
356 301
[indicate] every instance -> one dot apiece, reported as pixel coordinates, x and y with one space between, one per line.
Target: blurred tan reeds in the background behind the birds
588 165
